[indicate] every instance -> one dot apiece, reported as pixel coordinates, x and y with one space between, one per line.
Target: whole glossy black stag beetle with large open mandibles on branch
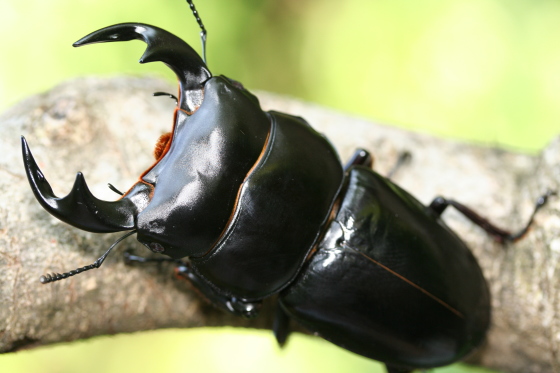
257 203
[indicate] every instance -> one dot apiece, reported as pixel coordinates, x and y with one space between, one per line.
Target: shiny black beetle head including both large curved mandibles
181 205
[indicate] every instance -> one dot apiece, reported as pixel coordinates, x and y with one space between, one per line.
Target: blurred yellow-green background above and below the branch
480 70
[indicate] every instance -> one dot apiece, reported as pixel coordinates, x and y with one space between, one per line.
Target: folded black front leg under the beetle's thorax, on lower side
238 307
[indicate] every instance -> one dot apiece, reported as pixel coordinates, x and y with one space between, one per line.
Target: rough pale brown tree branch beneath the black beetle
107 128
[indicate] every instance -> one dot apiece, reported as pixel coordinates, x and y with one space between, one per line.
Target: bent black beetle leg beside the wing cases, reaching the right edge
439 204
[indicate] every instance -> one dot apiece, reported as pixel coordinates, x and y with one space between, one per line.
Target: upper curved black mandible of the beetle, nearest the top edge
165 47
